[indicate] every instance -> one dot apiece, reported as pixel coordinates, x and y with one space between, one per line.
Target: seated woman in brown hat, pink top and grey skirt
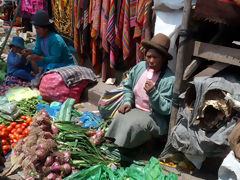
145 111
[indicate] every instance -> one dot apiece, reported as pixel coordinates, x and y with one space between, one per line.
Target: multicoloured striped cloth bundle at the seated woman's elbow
110 102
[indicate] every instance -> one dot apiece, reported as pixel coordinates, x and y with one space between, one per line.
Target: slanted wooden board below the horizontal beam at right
212 69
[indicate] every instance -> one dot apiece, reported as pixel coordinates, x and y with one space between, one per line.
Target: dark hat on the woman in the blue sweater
41 18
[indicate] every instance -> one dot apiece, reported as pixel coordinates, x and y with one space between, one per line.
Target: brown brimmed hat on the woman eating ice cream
160 42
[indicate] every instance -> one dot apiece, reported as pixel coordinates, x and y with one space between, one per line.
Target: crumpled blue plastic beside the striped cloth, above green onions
90 119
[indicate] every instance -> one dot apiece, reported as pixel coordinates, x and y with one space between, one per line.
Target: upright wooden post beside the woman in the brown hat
183 54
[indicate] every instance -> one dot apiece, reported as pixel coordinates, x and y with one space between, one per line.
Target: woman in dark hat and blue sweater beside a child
50 50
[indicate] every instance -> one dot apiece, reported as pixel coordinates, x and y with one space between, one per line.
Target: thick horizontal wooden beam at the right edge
217 53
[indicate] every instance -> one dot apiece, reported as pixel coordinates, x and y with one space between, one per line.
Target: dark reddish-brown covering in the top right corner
220 11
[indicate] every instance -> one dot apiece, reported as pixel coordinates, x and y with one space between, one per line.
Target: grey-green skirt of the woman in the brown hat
133 128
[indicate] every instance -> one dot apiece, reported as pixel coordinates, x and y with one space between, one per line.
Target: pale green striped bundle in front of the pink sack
66 109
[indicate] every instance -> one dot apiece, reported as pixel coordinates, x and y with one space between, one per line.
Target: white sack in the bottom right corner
230 168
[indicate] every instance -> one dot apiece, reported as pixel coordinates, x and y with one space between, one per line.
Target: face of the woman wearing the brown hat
155 60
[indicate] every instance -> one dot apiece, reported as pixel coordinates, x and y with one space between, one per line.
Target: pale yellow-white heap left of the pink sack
20 93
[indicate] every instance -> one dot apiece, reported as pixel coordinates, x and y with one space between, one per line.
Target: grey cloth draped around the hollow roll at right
195 143
